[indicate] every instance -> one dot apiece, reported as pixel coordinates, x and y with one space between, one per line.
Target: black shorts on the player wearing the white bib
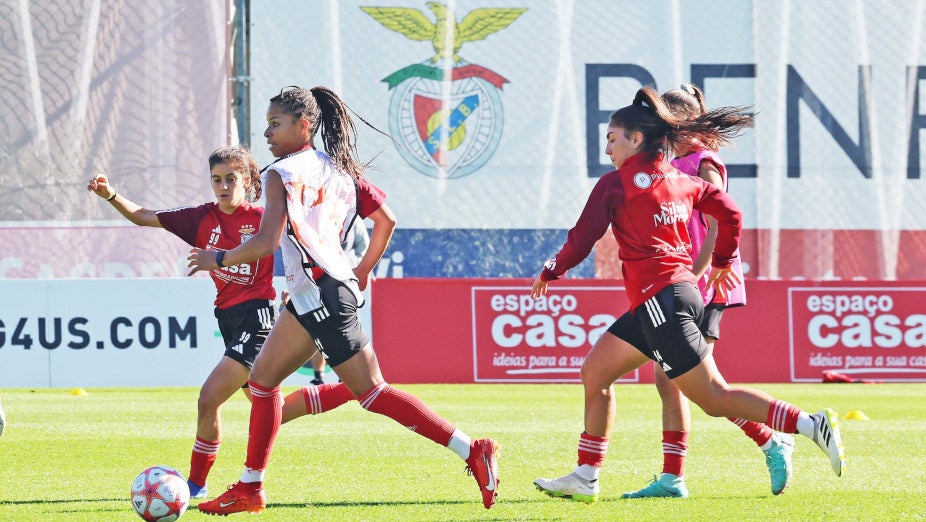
337 334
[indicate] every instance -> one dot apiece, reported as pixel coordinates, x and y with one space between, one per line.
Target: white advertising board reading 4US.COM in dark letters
110 332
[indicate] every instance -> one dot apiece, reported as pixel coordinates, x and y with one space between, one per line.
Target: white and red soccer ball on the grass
160 494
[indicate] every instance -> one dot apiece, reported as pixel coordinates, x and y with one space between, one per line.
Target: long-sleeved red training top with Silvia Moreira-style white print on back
647 204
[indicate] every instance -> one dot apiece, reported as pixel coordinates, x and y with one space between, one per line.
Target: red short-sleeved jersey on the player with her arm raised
209 228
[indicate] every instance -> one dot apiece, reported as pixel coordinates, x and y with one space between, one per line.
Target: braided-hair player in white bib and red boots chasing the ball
312 199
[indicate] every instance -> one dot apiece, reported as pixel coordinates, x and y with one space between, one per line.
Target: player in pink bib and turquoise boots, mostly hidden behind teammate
700 159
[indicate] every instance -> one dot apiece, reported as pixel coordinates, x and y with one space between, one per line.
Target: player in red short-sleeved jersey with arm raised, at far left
244 302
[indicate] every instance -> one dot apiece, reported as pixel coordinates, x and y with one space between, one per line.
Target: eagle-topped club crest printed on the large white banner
445 112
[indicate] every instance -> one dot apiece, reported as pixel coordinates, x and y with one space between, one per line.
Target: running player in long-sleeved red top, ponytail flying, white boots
647 203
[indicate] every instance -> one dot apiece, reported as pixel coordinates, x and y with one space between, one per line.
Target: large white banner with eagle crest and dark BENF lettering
525 97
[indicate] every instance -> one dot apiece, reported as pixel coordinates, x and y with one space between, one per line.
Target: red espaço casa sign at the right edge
876 332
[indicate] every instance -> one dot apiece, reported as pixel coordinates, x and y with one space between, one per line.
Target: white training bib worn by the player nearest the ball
321 202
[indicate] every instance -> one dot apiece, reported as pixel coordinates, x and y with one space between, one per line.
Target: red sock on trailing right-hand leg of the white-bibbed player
407 410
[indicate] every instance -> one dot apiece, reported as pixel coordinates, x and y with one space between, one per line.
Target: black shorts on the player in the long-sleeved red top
665 328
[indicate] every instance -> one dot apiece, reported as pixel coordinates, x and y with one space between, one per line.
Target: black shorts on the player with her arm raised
244 328
